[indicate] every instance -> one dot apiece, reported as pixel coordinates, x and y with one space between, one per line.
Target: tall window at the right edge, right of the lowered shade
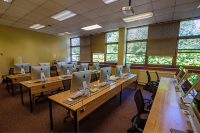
188 50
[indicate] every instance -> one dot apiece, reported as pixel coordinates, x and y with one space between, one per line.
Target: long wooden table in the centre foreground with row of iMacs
91 102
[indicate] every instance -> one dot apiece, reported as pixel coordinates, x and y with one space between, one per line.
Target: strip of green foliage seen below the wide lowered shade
160 60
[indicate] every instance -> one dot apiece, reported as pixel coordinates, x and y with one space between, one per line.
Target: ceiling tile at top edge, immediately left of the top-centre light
92 4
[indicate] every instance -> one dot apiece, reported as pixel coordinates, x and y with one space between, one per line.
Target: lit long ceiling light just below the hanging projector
138 17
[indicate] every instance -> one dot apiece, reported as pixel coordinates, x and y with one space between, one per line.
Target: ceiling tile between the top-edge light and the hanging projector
117 6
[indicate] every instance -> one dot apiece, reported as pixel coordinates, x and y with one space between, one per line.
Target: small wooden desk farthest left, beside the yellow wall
16 79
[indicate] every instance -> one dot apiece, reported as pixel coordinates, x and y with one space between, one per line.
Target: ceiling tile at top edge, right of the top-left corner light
25 4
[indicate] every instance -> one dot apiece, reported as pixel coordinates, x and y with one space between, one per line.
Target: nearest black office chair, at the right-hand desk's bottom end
137 121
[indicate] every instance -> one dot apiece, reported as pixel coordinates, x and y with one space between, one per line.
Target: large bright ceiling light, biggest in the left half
63 15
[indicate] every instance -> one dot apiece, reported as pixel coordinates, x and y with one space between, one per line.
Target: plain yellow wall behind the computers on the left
34 47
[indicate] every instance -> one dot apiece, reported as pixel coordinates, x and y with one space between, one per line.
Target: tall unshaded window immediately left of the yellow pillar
112 39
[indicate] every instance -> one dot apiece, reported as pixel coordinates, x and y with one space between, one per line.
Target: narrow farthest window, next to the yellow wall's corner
75 49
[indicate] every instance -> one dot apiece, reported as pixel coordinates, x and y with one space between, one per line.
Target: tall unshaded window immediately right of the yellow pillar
136 45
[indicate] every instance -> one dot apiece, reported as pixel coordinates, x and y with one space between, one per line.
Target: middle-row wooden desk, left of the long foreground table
35 88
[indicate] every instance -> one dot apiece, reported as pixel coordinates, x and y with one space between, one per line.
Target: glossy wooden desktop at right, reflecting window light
165 112
